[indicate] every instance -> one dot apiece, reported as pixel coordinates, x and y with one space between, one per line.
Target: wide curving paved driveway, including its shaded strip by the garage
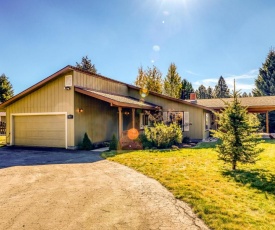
62 189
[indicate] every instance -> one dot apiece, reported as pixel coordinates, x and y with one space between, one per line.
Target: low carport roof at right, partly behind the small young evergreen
253 104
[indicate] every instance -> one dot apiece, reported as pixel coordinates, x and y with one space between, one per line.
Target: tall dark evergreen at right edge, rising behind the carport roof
265 86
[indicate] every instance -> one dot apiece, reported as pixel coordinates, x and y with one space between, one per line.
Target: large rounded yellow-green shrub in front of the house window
163 136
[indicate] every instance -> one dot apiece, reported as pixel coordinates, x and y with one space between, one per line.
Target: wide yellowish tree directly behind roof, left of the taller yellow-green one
151 79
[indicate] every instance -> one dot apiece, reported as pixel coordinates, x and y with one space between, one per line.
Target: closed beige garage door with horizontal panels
40 130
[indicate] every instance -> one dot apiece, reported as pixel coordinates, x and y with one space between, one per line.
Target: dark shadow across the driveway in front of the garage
19 156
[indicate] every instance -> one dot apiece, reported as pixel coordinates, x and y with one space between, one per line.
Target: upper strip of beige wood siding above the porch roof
99 83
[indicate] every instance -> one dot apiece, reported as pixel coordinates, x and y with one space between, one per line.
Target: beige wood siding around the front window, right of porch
196 115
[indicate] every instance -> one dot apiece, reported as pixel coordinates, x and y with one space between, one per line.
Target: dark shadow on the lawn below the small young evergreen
259 179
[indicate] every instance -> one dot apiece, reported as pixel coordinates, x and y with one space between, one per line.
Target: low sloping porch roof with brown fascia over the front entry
117 100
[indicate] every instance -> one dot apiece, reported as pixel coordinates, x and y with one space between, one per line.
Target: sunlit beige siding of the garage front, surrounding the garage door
52 97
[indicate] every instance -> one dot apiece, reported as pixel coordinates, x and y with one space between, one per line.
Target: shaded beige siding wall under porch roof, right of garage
98 119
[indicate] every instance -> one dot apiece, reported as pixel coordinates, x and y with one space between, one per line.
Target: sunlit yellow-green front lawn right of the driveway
244 199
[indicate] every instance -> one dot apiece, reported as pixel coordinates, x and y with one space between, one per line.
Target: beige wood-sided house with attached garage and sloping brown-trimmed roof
57 111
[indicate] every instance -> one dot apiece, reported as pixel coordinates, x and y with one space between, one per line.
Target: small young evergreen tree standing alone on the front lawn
237 132
